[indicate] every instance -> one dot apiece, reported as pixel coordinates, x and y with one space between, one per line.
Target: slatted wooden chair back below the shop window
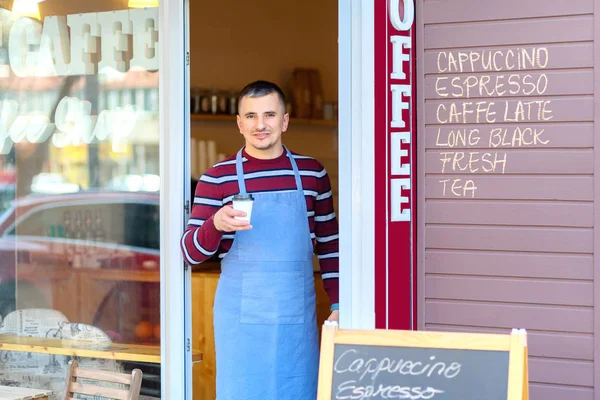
73 386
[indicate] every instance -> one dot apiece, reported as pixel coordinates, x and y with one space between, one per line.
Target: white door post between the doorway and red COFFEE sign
356 163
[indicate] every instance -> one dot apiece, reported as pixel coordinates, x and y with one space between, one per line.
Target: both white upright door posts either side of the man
356 189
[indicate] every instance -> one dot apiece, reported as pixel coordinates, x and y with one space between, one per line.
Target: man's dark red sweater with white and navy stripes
216 188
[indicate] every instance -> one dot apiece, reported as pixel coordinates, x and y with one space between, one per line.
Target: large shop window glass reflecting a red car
79 187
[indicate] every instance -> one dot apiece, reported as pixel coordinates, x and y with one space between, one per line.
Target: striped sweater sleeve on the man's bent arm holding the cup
200 240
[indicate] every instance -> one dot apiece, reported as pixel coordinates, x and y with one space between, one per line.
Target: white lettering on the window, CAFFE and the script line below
71 46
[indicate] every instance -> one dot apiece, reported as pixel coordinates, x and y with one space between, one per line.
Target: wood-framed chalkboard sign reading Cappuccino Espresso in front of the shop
422 365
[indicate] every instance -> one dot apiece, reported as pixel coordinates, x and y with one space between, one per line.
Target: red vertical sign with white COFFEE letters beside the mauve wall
395 165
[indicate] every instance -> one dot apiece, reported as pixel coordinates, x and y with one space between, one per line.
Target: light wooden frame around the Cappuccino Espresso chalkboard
514 343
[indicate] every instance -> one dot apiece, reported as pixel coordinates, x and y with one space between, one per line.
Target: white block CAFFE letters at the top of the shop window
82 44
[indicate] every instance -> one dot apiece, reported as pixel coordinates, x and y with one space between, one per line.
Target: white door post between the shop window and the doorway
174 128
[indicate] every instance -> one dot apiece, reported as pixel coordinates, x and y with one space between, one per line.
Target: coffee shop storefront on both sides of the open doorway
466 176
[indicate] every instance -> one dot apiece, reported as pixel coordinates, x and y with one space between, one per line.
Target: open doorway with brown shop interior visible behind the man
292 45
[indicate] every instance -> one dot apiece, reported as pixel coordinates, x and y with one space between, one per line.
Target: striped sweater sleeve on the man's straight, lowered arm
327 237
